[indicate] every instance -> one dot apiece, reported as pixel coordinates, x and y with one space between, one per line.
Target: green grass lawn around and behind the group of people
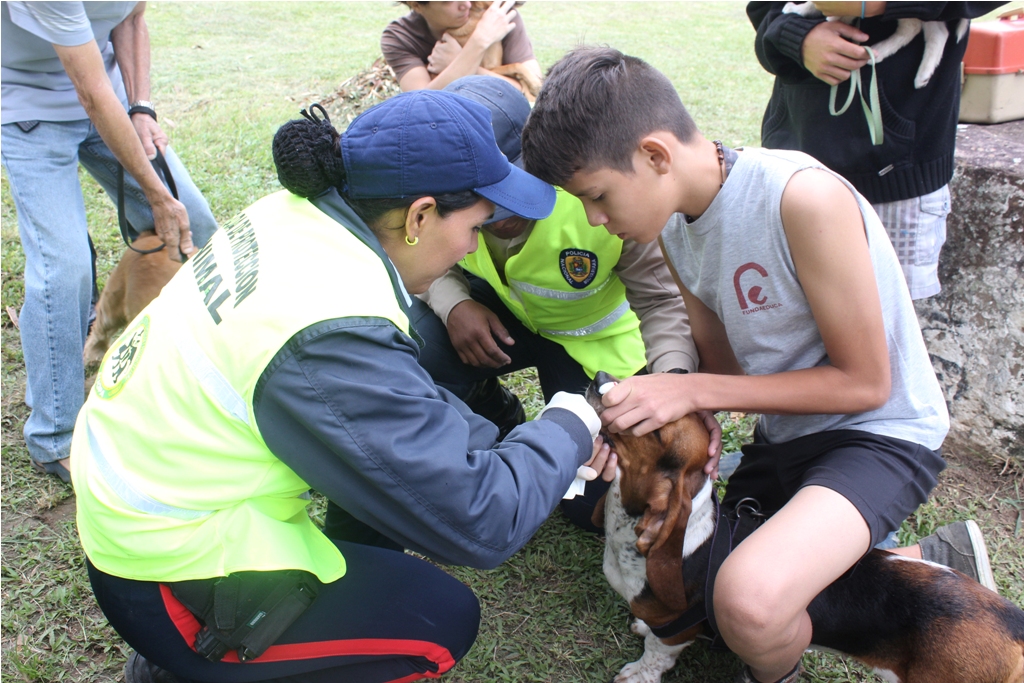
225 77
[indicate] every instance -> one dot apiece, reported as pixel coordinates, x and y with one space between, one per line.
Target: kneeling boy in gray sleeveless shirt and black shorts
799 312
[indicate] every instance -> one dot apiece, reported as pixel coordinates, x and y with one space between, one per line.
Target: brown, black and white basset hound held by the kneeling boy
911 621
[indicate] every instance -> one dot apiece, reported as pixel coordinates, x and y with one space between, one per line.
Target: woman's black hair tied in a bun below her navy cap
309 162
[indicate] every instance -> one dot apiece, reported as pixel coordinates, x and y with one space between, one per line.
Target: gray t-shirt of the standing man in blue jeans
34 86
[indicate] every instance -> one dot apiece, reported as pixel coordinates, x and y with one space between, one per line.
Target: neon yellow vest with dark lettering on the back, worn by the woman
174 479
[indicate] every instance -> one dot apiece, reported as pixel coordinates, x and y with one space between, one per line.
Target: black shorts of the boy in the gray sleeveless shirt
885 479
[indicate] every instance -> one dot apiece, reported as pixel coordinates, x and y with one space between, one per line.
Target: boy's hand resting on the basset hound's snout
642 405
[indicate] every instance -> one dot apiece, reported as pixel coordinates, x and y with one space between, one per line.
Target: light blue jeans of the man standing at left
42 168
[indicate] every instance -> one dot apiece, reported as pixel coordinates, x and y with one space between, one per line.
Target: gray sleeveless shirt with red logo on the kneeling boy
736 259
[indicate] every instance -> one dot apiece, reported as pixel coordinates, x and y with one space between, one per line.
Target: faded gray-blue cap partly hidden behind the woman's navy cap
509 111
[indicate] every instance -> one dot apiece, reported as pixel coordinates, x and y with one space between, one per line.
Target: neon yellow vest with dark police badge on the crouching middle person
563 287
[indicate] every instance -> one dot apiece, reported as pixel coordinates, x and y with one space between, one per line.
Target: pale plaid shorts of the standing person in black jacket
918 230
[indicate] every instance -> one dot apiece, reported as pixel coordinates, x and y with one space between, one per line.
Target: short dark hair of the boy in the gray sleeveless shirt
594 109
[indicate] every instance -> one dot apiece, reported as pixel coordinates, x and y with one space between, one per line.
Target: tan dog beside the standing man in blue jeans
136 282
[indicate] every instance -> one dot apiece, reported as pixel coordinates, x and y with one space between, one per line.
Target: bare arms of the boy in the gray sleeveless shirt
827 239
